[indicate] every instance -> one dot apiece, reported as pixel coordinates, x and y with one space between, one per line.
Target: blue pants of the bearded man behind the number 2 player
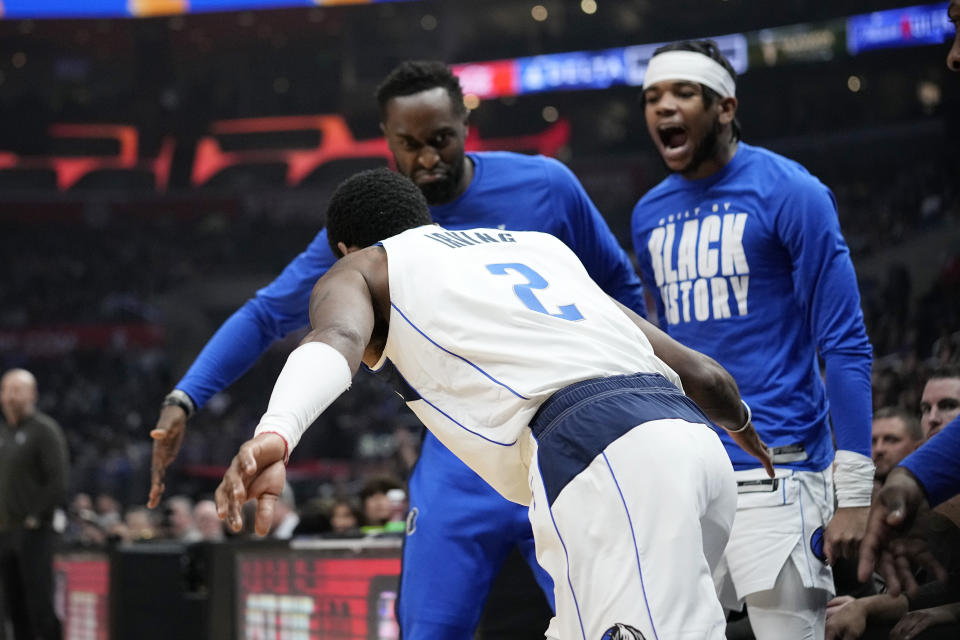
459 532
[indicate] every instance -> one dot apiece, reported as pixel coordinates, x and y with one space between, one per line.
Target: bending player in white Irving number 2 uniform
524 368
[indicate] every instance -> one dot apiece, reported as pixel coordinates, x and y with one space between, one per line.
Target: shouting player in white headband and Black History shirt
745 251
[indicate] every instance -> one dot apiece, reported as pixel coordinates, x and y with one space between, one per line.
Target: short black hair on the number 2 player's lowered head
373 205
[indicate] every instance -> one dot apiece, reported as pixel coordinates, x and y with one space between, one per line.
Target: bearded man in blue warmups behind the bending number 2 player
459 529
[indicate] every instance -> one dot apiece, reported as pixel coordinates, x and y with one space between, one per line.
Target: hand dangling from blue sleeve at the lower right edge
895 541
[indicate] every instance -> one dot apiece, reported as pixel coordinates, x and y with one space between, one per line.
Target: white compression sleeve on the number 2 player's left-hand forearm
314 376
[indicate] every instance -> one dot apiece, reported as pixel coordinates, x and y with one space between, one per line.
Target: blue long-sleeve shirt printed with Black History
751 268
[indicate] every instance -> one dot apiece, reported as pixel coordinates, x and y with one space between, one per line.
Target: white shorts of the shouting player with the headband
772 528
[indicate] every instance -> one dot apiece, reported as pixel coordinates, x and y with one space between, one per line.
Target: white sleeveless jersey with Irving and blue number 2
485 325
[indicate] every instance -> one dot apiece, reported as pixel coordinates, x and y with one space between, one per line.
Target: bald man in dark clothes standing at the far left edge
33 483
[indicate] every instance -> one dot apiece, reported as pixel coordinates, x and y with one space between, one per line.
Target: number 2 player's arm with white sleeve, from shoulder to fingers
316 373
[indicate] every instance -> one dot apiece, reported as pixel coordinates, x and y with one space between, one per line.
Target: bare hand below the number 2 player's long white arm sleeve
255 473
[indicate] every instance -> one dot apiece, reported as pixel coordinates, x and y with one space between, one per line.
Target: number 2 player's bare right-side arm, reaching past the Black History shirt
711 386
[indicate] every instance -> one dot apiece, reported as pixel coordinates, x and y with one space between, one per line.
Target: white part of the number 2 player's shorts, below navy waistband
631 540
